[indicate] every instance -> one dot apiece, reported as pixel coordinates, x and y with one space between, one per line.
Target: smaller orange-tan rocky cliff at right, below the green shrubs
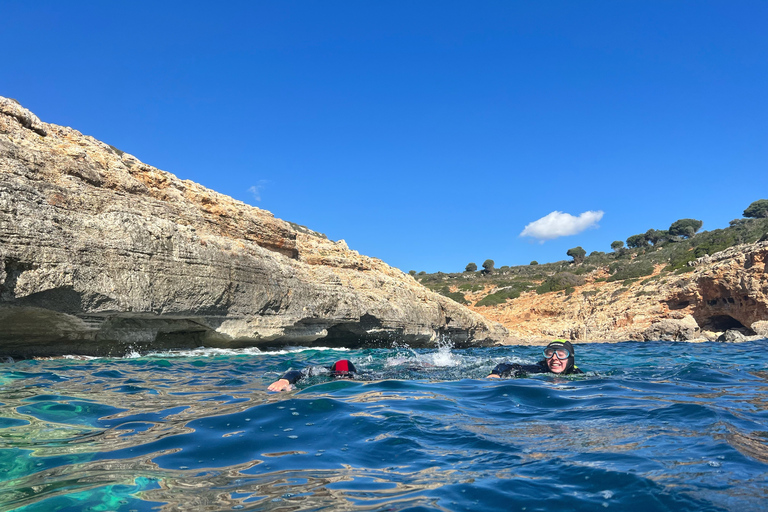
725 297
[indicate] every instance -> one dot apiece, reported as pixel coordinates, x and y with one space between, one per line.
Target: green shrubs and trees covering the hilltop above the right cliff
673 248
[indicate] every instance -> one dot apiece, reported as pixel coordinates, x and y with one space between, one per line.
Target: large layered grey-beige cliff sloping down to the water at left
101 254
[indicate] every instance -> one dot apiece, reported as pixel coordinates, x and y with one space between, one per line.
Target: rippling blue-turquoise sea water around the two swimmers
651 426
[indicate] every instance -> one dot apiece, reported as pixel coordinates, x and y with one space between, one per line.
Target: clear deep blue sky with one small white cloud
429 134
